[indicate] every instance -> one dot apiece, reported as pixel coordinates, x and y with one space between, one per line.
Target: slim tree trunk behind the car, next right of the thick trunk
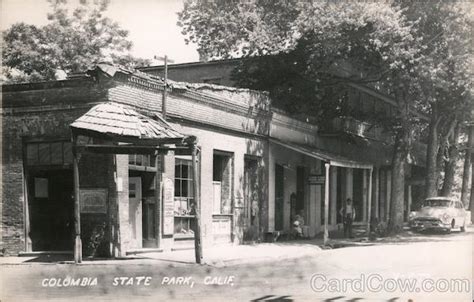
431 178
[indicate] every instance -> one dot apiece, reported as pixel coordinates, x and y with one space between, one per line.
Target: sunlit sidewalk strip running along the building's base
229 255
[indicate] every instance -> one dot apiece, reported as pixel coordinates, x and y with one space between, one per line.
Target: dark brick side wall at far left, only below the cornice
16 127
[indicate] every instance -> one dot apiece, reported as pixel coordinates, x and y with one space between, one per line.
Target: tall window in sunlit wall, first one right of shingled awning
222 183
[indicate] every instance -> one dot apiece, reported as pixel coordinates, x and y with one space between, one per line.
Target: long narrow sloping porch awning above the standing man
331 158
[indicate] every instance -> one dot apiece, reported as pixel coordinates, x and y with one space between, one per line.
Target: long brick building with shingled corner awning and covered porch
257 166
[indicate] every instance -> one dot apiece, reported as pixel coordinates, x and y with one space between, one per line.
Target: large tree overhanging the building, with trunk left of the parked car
310 38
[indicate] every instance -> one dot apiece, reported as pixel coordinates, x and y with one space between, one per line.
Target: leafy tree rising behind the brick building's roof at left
70 42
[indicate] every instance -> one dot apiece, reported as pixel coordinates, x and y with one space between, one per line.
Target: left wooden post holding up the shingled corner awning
77 204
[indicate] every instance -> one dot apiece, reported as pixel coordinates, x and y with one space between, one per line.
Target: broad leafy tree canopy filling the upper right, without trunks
391 45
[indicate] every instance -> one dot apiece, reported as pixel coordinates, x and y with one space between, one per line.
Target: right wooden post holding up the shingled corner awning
197 207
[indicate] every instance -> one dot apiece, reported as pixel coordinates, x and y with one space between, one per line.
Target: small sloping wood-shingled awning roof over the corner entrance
119 121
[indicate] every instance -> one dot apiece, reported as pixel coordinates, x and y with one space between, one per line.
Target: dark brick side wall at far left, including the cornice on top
33 111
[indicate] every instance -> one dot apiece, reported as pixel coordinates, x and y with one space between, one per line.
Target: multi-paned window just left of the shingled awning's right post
183 187
